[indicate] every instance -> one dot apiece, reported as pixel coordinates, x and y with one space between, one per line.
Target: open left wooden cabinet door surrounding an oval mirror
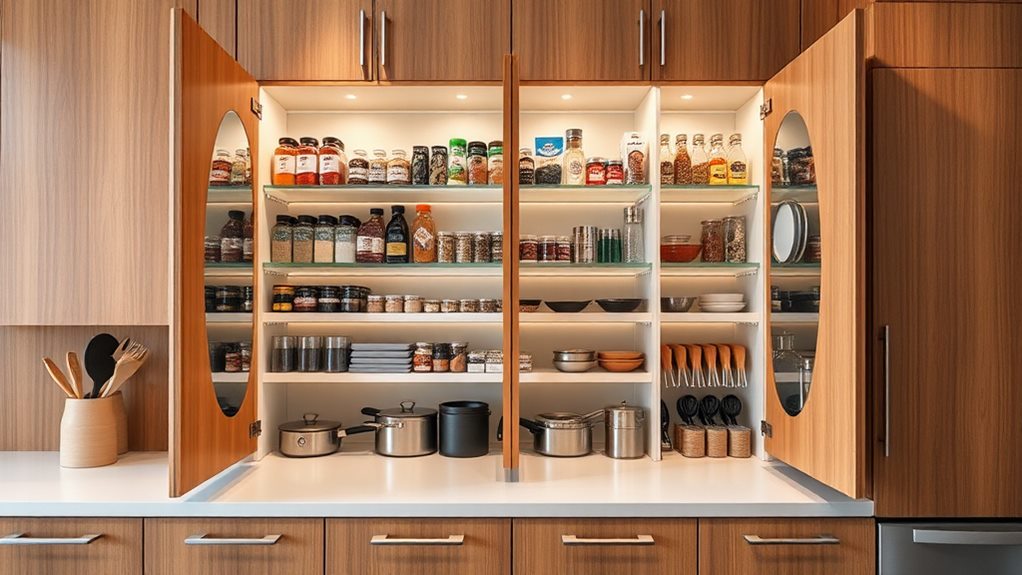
209 90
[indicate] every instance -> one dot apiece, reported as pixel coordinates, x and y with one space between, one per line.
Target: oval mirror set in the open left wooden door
229 252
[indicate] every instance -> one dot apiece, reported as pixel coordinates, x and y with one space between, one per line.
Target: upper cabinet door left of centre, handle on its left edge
442 40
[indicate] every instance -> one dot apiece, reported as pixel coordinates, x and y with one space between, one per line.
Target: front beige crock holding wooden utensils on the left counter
88 434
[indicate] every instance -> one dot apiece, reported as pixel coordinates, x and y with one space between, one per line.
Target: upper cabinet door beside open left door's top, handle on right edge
306 40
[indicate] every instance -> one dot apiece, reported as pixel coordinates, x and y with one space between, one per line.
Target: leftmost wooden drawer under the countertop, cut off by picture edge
68 547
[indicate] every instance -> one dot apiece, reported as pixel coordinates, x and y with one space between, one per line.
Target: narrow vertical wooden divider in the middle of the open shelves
512 344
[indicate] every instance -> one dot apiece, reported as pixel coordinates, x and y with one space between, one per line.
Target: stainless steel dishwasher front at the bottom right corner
951 549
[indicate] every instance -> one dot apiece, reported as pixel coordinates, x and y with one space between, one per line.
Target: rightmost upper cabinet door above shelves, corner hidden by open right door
723 40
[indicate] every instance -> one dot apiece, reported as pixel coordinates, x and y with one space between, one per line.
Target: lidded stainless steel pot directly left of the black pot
406 432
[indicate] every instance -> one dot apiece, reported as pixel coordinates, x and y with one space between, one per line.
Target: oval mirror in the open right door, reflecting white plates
796 270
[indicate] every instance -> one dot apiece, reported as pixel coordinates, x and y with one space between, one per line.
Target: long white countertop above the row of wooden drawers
362 485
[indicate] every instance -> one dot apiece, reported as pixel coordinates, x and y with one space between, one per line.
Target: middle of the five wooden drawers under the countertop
419 547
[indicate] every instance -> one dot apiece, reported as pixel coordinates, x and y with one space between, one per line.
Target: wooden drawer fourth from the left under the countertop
598 547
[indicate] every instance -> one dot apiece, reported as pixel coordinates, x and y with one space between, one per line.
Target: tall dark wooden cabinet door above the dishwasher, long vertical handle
947 286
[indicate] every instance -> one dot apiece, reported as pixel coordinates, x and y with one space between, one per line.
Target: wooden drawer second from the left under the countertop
215 547
